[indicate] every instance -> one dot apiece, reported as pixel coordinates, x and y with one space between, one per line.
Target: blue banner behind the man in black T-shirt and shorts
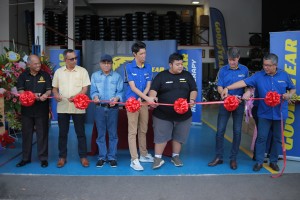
192 60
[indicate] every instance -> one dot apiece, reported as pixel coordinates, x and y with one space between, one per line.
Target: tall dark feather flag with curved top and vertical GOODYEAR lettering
219 37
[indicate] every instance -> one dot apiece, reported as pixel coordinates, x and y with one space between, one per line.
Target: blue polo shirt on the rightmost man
280 82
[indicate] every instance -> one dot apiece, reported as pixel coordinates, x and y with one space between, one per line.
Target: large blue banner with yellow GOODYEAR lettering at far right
285 46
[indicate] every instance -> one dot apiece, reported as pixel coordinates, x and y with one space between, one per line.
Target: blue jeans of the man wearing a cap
107 120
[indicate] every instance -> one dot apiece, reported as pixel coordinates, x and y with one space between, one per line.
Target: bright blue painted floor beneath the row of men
196 153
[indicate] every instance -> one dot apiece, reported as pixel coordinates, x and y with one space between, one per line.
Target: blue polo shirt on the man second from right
227 76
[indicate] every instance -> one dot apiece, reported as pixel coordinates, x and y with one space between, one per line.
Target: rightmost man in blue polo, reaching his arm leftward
270 79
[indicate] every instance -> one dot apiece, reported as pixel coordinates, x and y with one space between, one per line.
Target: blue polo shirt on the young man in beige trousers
140 77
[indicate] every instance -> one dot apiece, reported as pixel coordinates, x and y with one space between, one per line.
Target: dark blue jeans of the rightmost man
264 127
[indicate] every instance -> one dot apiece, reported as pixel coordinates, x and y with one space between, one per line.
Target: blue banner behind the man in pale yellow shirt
57 60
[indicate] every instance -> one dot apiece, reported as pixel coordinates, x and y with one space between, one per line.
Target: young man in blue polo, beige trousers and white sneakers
139 77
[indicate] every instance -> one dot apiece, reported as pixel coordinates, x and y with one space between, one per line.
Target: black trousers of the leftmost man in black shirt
41 125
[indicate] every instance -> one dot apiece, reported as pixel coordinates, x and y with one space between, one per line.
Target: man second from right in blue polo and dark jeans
228 74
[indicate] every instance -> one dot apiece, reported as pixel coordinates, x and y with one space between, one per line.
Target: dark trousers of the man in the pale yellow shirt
63 124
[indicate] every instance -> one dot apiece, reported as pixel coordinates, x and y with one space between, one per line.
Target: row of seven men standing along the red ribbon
106 91
